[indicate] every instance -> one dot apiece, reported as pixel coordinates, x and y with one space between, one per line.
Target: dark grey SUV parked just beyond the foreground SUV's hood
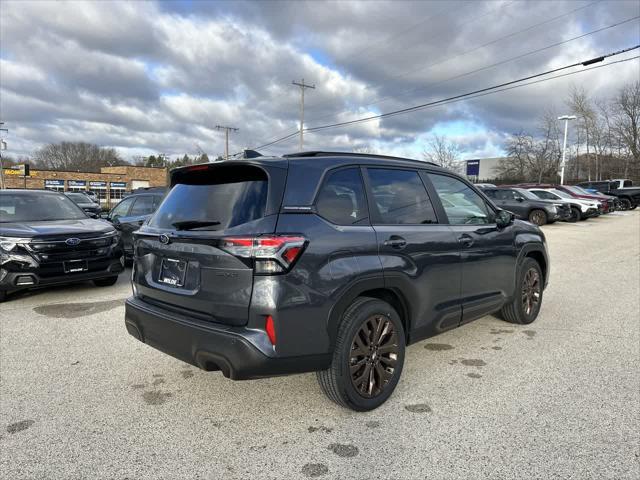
526 206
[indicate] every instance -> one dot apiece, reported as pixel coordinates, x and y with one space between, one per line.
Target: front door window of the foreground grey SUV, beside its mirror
461 203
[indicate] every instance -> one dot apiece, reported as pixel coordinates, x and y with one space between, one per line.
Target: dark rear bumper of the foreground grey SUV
240 353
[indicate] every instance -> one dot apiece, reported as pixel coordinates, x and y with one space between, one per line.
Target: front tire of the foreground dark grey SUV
518 310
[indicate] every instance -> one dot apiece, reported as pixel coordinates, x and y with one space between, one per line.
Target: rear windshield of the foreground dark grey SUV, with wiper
215 199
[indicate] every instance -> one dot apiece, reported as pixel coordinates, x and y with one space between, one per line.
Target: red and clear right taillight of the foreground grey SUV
272 253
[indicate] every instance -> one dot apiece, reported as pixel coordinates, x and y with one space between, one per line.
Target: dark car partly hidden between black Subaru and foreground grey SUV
132 212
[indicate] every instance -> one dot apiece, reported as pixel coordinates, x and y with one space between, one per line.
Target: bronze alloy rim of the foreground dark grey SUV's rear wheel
374 355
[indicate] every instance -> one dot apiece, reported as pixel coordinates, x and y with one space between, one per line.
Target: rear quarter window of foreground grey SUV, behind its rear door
341 199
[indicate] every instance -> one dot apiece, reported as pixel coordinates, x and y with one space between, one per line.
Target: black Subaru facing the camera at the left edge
47 239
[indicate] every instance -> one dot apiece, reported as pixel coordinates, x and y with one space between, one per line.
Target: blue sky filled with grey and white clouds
157 77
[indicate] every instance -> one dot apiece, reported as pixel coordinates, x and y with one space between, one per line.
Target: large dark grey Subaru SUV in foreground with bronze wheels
325 262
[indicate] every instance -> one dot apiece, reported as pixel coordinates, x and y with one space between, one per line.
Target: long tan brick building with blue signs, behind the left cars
111 184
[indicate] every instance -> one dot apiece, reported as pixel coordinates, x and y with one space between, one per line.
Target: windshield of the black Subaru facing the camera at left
37 207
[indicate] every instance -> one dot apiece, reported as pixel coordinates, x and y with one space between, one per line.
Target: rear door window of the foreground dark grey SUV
400 197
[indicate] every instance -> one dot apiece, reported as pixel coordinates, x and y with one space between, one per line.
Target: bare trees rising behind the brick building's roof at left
76 156
